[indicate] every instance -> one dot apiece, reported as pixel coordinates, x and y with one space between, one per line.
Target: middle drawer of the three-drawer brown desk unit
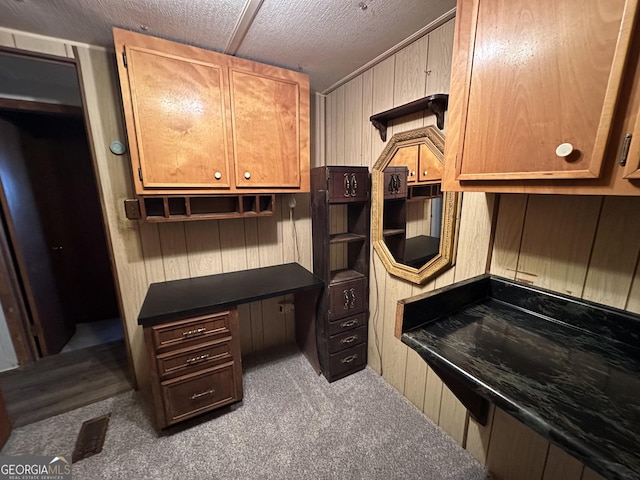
186 360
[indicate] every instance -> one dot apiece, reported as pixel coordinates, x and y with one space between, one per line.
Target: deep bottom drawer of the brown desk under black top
196 393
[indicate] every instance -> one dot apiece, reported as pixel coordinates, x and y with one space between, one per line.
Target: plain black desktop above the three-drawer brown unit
177 299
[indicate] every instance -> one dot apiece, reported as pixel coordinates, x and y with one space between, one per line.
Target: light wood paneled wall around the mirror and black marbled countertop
583 246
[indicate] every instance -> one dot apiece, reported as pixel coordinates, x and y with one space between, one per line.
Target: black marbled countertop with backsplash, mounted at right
567 368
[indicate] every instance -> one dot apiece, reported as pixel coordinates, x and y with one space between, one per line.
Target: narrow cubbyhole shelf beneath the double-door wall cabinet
165 208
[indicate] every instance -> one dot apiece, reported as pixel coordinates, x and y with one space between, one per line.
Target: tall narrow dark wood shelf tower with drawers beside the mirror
341 259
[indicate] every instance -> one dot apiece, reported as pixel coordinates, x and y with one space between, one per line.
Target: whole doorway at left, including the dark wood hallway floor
54 244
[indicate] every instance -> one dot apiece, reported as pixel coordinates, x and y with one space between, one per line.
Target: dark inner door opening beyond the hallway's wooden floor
52 219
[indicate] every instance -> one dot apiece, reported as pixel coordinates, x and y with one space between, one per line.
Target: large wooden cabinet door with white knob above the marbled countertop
541 75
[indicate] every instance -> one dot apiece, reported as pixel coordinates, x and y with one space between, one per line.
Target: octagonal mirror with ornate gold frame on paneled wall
414 225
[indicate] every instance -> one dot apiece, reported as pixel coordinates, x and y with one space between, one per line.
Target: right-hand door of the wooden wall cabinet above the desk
265 104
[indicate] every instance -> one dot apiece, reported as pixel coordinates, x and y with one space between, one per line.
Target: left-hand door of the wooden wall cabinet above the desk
180 120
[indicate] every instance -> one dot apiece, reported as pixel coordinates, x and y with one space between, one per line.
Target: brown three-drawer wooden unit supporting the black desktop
195 365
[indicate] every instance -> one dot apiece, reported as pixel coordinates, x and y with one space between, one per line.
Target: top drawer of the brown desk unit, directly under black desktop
204 328
